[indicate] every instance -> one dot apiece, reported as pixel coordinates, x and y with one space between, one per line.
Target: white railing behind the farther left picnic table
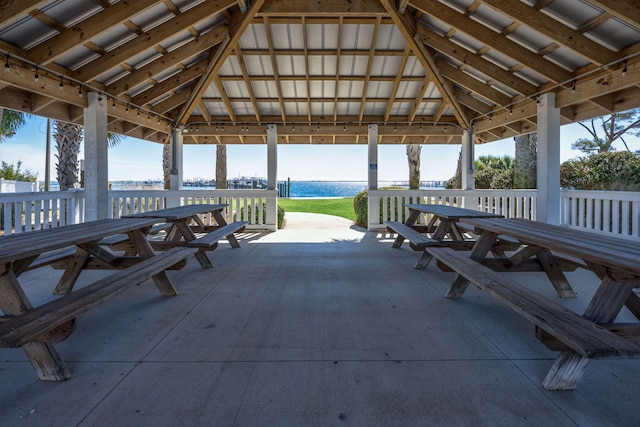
257 207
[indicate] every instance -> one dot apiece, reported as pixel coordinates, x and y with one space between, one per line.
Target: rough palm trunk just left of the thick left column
68 137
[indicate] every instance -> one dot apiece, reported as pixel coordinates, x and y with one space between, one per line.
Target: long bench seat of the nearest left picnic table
40 323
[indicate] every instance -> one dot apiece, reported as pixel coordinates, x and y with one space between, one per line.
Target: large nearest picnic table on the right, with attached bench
579 338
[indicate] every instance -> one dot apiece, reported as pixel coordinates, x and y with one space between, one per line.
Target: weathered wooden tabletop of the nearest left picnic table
23 245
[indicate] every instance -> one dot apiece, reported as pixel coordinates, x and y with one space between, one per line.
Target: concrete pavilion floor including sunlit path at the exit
319 324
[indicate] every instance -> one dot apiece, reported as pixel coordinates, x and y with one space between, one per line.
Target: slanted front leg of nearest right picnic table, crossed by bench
603 308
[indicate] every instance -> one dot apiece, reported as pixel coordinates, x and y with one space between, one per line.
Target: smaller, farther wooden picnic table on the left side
185 221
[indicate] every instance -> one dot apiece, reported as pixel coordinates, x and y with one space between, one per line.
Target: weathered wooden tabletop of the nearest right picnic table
604 250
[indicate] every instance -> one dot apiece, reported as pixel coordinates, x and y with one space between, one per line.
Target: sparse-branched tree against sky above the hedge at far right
613 127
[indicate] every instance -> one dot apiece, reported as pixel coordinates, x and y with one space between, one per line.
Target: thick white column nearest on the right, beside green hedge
548 200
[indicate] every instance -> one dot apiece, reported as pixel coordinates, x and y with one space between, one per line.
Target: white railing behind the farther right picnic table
389 205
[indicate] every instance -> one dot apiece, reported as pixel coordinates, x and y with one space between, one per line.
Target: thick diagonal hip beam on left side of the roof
238 24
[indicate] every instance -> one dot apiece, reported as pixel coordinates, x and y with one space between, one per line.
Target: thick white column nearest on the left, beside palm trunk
96 175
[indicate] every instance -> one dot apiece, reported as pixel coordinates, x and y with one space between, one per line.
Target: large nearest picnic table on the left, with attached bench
36 328
